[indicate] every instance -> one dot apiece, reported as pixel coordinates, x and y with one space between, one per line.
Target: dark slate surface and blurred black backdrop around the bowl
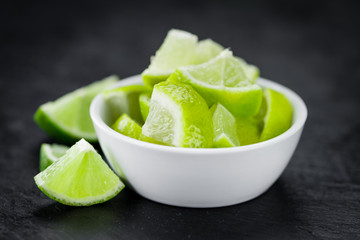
48 49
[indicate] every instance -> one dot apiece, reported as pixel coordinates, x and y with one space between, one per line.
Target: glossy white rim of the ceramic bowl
294 98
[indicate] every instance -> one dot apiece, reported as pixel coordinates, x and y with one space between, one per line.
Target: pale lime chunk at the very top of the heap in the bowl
178 49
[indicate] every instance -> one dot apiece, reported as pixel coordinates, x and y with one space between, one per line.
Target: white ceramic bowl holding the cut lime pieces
198 177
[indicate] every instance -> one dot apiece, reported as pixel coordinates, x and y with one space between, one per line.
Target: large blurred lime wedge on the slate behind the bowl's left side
68 119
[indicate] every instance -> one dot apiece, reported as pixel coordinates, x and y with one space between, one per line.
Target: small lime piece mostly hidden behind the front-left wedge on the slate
49 153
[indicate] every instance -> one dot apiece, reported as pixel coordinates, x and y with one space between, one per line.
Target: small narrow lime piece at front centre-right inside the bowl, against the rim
224 125
